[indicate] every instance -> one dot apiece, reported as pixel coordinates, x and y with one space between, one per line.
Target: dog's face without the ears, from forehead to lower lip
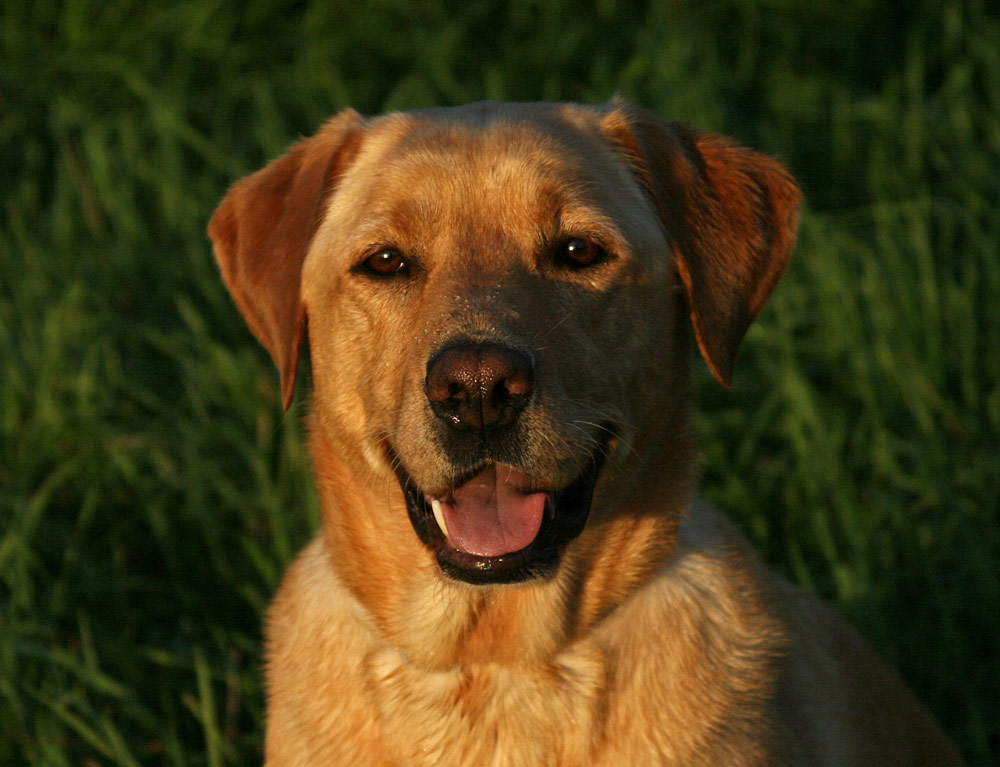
498 290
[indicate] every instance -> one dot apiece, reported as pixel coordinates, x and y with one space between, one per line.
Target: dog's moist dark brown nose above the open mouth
478 386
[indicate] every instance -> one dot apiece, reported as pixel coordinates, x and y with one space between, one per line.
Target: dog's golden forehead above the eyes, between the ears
518 168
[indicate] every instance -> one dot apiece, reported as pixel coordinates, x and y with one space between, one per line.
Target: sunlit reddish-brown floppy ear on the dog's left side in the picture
261 233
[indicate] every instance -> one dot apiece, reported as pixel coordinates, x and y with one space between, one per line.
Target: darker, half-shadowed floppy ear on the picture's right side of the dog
730 214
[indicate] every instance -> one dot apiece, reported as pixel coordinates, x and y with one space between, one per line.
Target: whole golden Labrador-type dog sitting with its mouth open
513 567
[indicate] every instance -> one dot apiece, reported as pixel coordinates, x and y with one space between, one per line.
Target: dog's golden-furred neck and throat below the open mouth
442 624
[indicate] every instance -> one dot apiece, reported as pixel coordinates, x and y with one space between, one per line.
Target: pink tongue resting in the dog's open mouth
493 513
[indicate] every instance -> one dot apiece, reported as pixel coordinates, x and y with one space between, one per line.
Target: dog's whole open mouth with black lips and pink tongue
541 522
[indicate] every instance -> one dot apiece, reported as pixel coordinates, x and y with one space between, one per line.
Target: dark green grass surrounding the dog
151 491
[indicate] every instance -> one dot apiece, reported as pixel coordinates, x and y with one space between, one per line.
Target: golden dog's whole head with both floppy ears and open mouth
496 298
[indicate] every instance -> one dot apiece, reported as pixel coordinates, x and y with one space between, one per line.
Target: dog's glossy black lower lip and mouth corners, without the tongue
566 513
